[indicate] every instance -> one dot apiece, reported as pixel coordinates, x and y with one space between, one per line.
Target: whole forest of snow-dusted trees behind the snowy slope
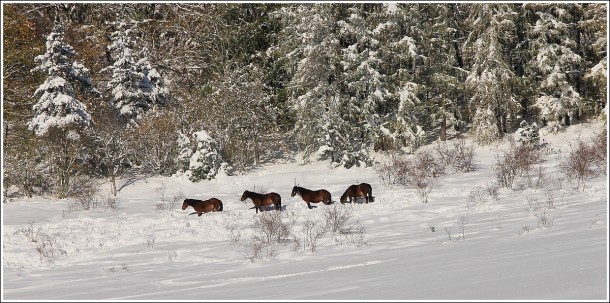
99 91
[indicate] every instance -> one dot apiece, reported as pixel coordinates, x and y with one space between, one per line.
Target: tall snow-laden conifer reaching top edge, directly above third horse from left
312 51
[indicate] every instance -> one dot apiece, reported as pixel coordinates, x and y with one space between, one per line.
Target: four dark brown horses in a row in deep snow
353 192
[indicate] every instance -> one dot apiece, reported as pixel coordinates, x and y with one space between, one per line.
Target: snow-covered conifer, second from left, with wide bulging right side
135 85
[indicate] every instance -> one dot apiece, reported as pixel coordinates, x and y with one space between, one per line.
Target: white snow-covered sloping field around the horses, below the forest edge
483 247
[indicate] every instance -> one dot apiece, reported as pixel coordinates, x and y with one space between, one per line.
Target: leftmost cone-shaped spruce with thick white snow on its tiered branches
57 106
